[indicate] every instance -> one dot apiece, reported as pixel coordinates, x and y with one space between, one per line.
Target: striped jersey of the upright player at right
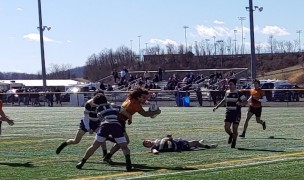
232 98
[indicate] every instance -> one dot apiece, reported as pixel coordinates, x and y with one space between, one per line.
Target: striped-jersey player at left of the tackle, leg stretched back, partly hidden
89 123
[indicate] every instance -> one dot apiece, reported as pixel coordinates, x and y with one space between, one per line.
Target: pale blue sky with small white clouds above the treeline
80 28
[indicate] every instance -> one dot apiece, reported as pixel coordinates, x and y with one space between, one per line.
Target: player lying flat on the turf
168 144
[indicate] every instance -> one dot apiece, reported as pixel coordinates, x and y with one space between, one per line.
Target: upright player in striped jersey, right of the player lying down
234 99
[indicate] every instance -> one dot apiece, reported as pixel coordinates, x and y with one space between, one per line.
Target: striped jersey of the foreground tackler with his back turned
108 112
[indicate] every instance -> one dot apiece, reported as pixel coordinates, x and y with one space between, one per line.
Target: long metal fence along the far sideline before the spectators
163 98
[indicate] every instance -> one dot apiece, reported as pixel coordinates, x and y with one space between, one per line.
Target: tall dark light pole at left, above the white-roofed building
41 29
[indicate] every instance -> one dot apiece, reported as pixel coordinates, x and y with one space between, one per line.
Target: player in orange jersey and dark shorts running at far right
255 106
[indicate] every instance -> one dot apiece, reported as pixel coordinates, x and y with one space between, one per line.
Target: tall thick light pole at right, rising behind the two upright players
252 43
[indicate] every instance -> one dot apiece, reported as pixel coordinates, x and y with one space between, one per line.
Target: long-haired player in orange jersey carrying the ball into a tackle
132 104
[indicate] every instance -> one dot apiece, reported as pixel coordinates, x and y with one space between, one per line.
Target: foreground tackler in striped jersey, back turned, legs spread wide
110 125
